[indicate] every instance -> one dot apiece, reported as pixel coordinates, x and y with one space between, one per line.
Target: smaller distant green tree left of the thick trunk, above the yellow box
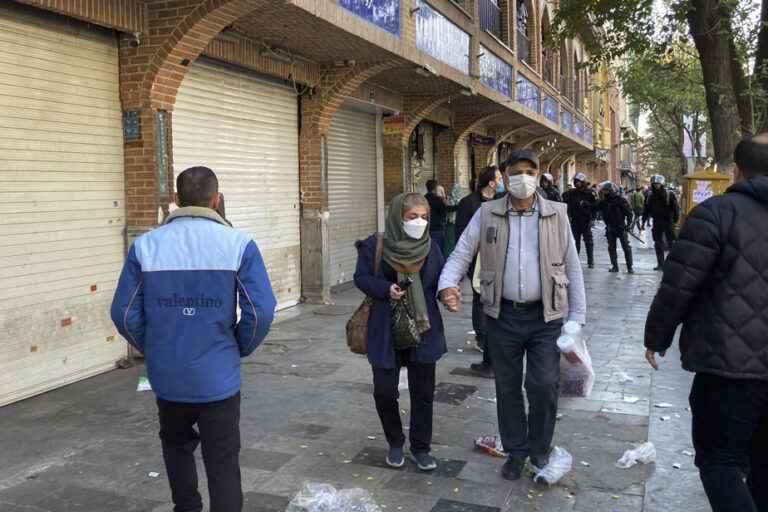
669 88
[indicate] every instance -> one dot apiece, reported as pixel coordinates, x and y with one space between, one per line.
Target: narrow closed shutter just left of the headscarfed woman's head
351 188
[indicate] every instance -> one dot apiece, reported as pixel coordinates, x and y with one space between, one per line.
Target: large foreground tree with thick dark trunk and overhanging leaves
726 35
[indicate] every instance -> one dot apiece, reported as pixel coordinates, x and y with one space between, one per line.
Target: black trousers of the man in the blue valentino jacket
219 434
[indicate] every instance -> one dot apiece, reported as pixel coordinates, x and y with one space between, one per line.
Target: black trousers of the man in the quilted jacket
730 435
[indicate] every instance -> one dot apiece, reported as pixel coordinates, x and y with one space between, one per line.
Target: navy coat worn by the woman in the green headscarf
381 351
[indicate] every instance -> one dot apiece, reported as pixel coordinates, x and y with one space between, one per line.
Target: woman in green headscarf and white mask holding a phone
409 256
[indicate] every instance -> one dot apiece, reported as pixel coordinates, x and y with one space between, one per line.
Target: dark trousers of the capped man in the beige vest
518 333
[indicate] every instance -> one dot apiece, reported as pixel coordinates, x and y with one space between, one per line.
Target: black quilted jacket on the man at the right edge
716 285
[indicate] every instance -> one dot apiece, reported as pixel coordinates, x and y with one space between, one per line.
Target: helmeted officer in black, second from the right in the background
617 216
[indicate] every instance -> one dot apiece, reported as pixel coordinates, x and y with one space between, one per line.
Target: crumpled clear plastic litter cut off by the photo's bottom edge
315 497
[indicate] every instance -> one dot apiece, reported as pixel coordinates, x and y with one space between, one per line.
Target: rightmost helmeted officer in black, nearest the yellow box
661 206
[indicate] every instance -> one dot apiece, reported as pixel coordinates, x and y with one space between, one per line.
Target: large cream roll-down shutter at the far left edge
61 202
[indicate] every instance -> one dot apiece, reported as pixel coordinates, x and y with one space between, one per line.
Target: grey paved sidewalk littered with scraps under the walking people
308 416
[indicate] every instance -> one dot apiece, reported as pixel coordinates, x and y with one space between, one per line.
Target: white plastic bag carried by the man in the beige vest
577 377
